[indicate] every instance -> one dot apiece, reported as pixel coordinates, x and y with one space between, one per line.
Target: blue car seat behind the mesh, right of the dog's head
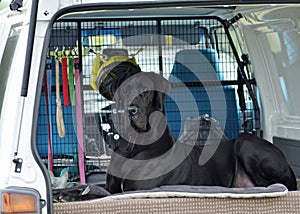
197 90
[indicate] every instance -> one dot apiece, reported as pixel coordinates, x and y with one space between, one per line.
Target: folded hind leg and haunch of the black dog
263 162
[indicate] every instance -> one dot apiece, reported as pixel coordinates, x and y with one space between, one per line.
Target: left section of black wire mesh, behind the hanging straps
59 150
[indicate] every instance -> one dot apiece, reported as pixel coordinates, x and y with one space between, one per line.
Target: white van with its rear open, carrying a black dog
56 131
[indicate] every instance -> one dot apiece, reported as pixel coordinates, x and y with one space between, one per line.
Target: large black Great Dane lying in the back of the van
147 155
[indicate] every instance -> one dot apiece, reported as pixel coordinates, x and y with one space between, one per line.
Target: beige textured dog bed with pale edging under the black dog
273 199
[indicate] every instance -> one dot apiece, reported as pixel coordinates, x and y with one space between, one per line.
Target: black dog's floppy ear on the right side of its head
161 88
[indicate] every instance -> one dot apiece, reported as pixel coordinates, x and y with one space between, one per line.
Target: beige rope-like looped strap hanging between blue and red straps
59 113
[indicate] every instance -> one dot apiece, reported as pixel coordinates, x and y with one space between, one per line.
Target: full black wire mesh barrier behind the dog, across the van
194 54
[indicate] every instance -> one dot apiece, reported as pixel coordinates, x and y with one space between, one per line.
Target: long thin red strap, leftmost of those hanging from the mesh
47 93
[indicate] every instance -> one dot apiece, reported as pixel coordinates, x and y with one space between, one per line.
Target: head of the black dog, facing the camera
139 96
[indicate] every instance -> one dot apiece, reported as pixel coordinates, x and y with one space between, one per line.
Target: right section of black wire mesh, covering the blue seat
203 71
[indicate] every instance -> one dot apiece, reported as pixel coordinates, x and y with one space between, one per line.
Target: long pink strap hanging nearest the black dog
79 122
